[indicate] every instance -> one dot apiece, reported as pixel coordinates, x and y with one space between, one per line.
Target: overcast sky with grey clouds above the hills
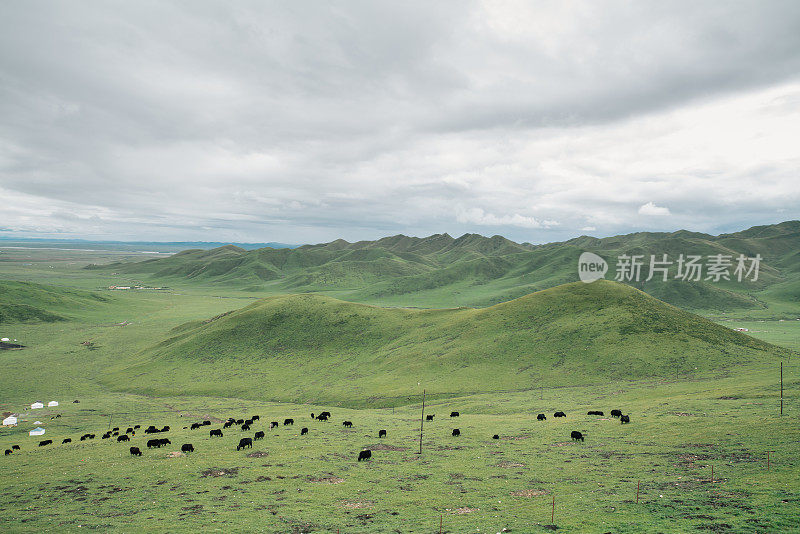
304 122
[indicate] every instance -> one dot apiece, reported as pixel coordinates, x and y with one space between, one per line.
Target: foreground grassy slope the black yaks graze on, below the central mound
679 431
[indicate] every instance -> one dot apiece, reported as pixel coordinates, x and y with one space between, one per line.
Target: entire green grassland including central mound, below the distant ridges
700 397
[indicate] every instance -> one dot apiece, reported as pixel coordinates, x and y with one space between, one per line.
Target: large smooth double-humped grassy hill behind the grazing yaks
311 348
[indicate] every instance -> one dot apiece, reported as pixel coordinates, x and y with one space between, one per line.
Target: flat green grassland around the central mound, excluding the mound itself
725 417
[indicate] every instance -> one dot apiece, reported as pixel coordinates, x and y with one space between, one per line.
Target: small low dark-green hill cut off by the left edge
28 302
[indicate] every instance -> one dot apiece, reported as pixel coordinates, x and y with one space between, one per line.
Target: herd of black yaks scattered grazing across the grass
244 425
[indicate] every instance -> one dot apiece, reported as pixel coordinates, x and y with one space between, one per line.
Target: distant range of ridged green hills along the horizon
473 270
